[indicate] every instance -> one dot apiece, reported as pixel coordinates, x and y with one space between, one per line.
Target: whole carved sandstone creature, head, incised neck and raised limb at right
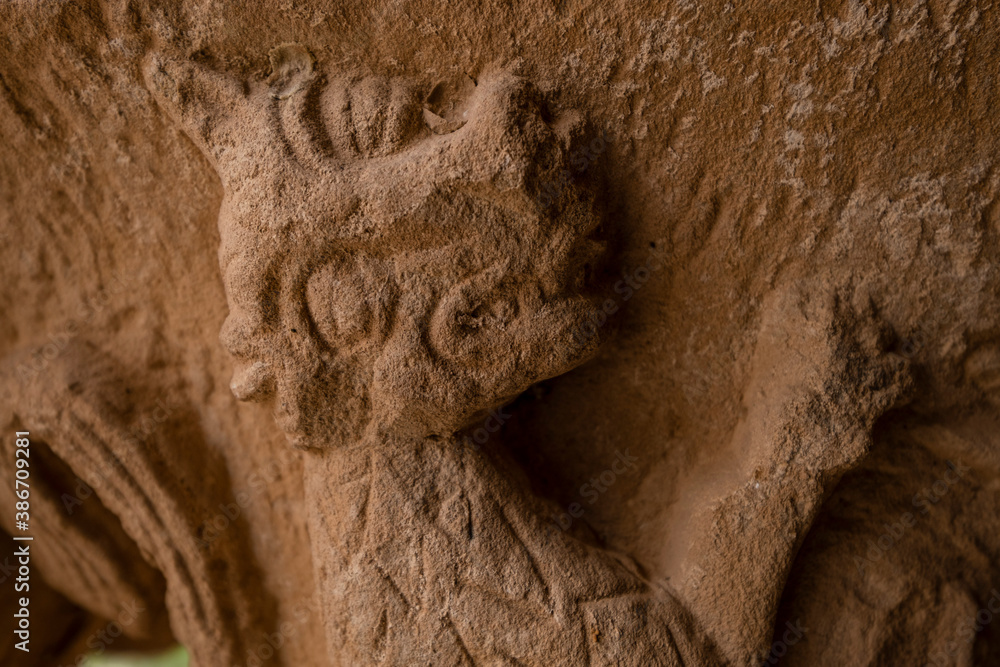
381 321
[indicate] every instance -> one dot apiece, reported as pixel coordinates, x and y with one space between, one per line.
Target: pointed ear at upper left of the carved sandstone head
207 104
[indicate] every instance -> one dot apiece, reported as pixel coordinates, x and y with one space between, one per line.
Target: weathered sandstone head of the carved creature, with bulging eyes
381 277
